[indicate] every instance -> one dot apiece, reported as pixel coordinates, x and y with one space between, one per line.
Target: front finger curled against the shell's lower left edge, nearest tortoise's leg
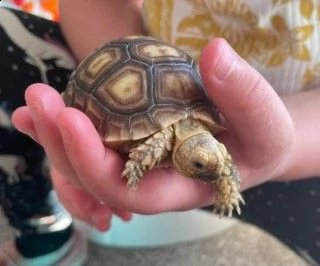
93 163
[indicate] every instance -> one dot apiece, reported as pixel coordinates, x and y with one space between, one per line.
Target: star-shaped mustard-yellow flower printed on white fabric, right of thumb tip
290 42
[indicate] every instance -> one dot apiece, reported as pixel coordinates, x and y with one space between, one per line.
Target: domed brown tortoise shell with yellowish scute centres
133 87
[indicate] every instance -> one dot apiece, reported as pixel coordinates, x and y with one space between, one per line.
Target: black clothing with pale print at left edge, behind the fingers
31 50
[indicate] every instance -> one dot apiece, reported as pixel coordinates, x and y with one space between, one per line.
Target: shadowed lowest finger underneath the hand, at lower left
81 204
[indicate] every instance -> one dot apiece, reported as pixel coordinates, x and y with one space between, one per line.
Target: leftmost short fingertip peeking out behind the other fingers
22 120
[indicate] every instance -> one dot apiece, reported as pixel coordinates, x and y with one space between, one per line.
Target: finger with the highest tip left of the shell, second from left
44 103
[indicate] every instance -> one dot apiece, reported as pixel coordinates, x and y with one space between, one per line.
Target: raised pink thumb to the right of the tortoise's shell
254 112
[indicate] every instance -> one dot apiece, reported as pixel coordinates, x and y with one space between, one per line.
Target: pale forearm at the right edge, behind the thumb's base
304 109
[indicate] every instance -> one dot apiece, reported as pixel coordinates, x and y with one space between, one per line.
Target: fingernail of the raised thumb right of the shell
226 64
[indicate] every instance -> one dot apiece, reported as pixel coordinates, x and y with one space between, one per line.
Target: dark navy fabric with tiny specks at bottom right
290 211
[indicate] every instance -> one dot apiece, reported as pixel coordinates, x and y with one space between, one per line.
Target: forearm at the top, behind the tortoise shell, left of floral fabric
87 24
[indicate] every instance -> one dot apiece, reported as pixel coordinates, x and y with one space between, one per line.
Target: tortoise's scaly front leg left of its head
147 155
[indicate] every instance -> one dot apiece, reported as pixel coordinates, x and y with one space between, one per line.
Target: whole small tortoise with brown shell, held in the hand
146 100
